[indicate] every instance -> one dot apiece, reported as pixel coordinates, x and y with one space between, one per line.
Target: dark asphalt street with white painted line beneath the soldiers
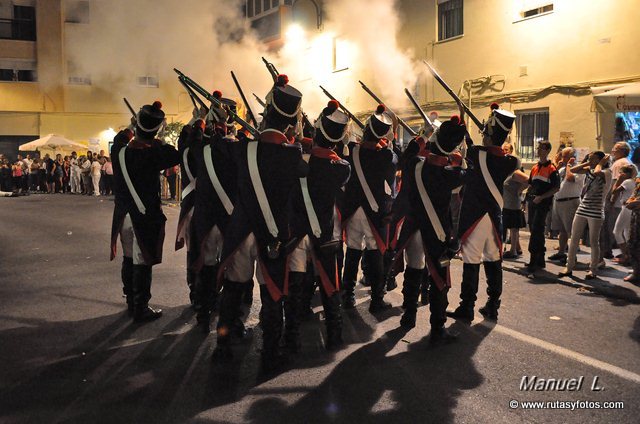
69 353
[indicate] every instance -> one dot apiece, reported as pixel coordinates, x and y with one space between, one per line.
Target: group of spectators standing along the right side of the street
596 201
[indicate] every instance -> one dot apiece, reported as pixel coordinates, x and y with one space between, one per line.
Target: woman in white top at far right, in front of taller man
621 192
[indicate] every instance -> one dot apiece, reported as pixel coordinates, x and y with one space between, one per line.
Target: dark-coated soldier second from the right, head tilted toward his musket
428 180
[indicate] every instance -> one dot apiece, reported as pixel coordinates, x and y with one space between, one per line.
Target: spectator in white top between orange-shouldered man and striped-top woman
565 202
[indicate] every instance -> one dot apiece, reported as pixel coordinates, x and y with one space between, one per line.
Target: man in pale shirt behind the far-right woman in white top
619 158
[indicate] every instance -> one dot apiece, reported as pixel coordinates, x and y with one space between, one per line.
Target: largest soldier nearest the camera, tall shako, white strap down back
258 232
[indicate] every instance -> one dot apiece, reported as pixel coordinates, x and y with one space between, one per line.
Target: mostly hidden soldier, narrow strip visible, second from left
188 171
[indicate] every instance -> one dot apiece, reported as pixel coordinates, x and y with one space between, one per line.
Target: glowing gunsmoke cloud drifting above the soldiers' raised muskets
206 40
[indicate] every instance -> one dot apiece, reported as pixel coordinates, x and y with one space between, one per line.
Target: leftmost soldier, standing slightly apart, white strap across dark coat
137 216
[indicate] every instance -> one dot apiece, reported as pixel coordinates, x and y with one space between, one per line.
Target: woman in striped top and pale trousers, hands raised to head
590 211
